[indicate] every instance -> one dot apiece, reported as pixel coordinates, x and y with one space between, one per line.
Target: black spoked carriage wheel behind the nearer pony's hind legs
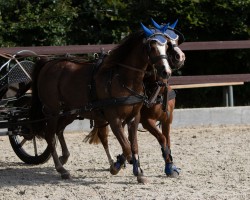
31 151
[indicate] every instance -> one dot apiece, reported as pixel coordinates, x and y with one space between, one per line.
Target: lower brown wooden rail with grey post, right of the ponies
226 81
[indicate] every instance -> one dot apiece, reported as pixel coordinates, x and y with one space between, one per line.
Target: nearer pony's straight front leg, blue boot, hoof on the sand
132 129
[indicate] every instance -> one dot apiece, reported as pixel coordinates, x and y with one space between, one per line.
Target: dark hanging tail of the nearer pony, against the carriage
36 113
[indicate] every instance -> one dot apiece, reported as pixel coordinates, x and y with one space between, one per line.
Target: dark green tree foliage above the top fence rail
54 22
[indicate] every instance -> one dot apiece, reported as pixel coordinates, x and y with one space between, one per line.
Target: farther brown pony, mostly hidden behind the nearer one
161 110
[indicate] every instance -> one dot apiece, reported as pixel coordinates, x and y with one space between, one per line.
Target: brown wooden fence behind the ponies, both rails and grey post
180 82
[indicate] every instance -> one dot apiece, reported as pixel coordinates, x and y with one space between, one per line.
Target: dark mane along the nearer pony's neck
120 52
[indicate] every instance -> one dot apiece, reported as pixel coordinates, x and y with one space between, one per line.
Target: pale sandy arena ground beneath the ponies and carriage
214 162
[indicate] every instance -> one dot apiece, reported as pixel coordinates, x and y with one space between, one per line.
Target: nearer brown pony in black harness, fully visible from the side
108 91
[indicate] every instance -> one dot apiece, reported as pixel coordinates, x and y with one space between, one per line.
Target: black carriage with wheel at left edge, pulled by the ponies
15 97
